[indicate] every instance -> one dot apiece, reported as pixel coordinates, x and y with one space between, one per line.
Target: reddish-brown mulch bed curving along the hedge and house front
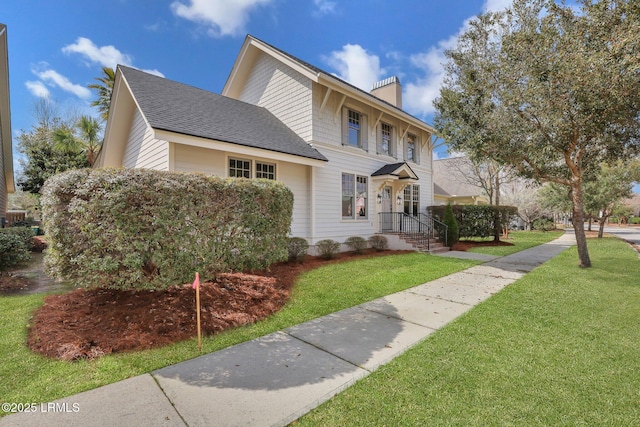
90 323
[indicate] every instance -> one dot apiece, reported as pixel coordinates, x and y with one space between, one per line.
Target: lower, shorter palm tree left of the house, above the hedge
87 142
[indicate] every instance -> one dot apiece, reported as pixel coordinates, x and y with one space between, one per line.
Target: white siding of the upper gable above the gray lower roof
283 91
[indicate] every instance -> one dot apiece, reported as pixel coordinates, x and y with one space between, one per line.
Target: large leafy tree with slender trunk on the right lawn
549 90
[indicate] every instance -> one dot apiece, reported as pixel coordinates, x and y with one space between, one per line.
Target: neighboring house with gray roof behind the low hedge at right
453 183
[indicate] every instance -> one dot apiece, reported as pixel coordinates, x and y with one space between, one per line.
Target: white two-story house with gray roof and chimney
354 160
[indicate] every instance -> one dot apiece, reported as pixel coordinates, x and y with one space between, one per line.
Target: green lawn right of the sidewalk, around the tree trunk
558 347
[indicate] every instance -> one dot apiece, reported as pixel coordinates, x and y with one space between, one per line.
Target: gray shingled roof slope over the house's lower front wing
176 107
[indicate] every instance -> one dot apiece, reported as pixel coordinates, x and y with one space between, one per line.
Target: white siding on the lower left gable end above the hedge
143 150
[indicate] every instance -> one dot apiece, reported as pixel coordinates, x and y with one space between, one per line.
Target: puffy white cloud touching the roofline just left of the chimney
356 66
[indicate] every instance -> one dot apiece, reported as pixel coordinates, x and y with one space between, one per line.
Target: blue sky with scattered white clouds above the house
57 48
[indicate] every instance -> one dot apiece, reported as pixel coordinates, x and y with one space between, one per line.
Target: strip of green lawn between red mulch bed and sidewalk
29 377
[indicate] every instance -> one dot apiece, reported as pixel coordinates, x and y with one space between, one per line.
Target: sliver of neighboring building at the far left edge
6 156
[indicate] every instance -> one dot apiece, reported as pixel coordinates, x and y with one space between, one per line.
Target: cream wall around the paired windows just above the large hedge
214 162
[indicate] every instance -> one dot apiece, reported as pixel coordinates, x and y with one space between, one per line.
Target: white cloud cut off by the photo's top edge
222 17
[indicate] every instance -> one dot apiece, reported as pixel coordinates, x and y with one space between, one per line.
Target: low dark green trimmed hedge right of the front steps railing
477 220
